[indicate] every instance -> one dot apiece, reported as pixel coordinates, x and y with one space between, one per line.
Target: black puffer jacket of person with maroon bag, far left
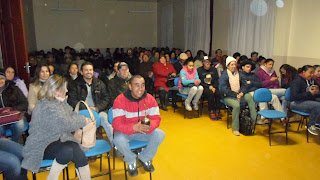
12 96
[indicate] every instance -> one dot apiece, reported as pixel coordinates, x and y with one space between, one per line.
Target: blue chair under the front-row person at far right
304 115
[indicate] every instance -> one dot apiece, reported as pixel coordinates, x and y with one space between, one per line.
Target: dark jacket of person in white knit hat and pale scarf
225 88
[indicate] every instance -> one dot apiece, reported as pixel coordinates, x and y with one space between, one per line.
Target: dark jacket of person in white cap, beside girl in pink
203 73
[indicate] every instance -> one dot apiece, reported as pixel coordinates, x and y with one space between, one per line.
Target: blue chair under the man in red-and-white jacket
134 145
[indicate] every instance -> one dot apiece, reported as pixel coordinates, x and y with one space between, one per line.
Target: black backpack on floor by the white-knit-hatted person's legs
245 123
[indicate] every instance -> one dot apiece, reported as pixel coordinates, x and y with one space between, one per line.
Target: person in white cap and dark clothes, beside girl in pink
209 80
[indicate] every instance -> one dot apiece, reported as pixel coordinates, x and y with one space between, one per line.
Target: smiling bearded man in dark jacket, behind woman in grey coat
97 98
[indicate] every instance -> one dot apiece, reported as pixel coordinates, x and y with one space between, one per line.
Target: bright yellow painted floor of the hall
201 149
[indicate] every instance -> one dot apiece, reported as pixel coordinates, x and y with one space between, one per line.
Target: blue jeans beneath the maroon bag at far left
16 128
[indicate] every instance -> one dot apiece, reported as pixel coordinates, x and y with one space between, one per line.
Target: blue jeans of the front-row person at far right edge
312 107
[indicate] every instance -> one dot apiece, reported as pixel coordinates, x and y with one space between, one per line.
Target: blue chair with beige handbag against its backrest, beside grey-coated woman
101 147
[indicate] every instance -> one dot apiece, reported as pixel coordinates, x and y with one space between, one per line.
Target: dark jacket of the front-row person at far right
299 92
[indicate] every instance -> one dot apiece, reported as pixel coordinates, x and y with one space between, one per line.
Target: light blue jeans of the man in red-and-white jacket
121 141
